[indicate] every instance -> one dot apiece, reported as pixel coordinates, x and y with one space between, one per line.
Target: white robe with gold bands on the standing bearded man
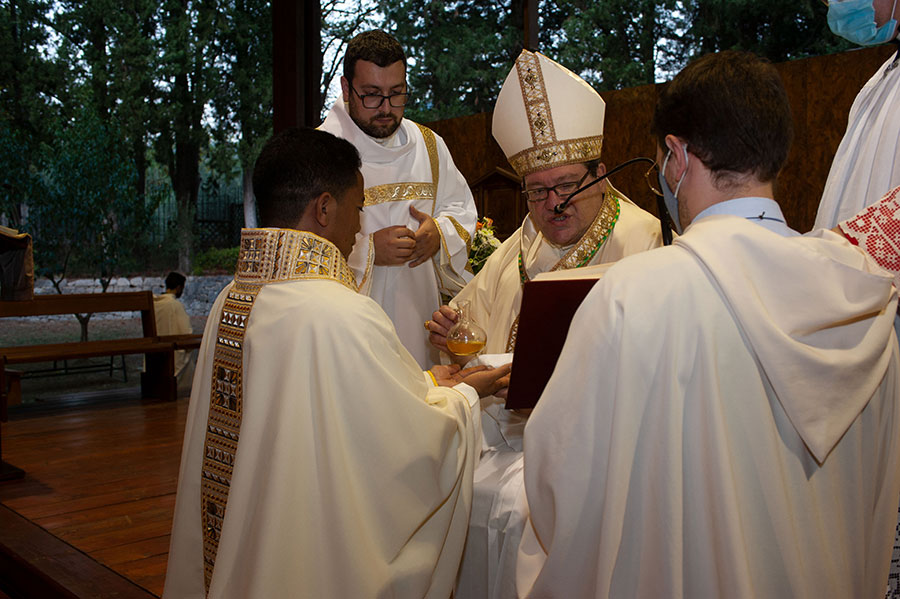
398 175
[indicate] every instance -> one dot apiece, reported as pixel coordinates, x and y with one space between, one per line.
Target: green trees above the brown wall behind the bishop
460 52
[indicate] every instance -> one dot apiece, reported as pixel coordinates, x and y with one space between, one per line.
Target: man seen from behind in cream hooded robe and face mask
723 418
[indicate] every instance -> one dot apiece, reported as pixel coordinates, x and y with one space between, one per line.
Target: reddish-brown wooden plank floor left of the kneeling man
102 477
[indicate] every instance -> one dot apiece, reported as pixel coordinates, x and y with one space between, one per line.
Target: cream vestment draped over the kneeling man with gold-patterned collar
352 474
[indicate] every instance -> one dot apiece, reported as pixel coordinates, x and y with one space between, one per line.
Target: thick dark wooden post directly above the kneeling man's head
296 63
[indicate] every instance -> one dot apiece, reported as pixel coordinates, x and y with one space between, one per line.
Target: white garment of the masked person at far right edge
867 163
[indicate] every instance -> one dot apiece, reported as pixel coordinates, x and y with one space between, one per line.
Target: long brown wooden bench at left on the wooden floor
157 380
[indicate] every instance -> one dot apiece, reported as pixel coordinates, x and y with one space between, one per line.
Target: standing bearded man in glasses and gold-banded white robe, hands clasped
419 216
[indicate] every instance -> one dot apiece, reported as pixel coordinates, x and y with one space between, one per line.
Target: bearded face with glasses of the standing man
369 78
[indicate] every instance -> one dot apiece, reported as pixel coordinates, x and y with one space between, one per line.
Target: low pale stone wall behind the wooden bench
199 292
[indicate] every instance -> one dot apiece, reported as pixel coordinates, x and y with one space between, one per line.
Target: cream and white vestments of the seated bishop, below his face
499 511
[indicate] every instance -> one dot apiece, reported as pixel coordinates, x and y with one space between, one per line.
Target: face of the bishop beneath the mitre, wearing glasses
566 228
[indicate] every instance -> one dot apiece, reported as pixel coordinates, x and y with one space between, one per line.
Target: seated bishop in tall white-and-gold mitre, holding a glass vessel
549 123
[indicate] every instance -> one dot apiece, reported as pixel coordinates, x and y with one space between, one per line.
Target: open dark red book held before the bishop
548 306
